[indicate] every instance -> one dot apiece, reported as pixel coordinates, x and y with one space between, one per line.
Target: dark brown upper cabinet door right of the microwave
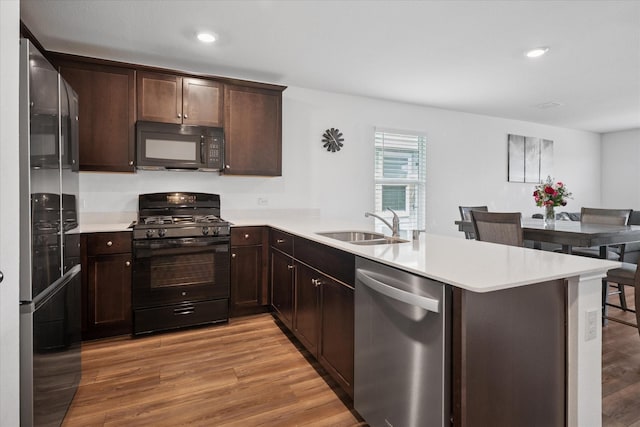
253 131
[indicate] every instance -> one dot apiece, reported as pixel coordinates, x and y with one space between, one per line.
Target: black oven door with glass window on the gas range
174 271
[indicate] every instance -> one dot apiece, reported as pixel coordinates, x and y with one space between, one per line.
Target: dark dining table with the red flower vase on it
571 234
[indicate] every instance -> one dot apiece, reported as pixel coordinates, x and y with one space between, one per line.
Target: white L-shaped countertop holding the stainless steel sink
467 264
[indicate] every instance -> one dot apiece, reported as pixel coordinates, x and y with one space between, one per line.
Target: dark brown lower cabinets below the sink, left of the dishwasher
312 294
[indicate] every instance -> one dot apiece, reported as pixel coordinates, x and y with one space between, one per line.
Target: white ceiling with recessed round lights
458 55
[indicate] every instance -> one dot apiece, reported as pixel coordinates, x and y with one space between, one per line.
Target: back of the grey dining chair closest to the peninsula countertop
498 227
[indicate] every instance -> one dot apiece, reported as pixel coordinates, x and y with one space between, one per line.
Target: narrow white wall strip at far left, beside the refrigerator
9 211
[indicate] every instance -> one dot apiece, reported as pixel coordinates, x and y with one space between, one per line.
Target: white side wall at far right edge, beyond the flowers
621 169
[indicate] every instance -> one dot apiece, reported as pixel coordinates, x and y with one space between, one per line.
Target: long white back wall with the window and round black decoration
467 163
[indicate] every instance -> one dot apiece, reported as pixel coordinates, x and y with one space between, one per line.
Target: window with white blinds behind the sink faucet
400 177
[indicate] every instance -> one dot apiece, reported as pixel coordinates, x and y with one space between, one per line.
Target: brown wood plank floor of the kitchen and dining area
249 373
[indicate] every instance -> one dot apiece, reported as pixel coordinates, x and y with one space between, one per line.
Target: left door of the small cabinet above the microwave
159 97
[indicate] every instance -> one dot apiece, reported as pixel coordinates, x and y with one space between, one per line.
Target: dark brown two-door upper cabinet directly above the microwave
168 98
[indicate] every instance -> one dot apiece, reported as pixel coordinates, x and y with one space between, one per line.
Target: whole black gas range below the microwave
181 253
